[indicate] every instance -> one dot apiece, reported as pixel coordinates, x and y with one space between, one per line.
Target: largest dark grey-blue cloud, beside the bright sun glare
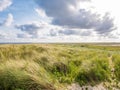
66 13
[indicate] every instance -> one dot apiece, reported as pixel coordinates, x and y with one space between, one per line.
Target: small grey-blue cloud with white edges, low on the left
35 29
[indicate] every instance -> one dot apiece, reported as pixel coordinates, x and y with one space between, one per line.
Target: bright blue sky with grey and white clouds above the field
59 21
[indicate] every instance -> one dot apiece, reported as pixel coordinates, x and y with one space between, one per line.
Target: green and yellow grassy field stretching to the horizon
55 66
